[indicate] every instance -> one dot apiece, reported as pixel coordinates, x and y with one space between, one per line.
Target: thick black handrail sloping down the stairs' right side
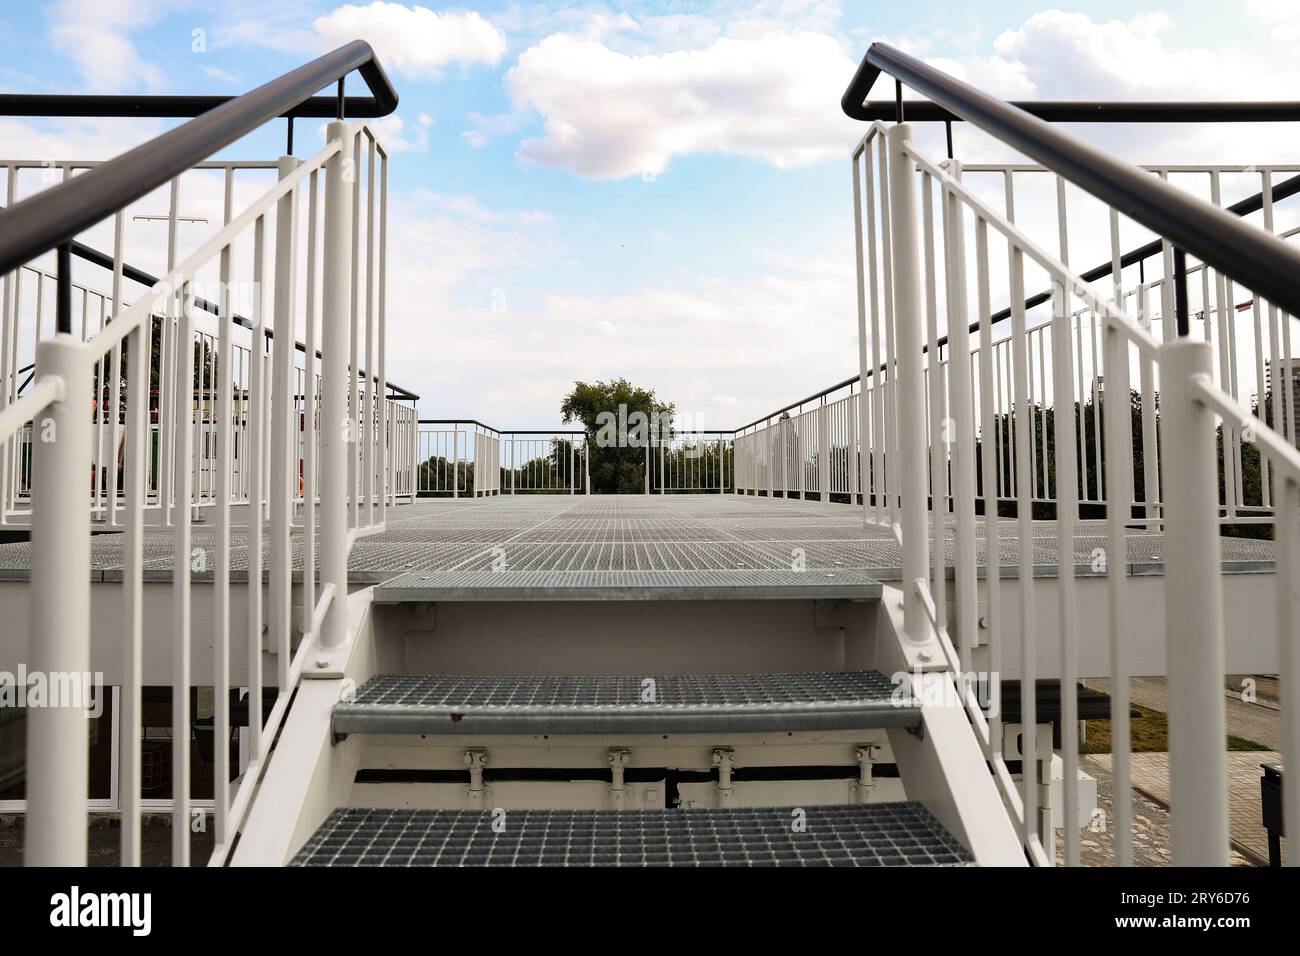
1245 254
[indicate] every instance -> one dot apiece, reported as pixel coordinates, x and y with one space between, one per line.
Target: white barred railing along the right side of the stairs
950 447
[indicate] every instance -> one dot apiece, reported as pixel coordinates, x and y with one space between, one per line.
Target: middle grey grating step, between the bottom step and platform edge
688 704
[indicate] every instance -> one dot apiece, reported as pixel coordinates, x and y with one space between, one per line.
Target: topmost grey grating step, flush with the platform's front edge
696 585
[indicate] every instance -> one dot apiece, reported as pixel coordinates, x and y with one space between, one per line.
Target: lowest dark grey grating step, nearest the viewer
896 834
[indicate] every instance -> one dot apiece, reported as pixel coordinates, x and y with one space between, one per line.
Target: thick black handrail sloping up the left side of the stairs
54 217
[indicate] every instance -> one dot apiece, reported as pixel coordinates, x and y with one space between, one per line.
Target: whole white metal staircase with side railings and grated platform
657 680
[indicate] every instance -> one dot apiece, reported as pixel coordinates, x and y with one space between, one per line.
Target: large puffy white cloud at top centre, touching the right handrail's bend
610 115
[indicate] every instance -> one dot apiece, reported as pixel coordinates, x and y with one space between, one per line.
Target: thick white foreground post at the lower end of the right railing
1194 612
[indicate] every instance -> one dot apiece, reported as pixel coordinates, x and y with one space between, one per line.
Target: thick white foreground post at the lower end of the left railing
58 737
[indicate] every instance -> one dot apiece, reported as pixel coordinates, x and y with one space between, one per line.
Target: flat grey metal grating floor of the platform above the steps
625 534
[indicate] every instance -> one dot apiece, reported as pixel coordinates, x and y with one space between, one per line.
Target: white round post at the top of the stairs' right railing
909 318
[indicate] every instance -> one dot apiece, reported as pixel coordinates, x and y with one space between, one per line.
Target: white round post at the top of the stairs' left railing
336 429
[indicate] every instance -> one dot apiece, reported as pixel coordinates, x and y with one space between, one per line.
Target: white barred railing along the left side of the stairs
322 452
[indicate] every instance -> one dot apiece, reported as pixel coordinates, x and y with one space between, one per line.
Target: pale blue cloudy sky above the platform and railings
656 189
